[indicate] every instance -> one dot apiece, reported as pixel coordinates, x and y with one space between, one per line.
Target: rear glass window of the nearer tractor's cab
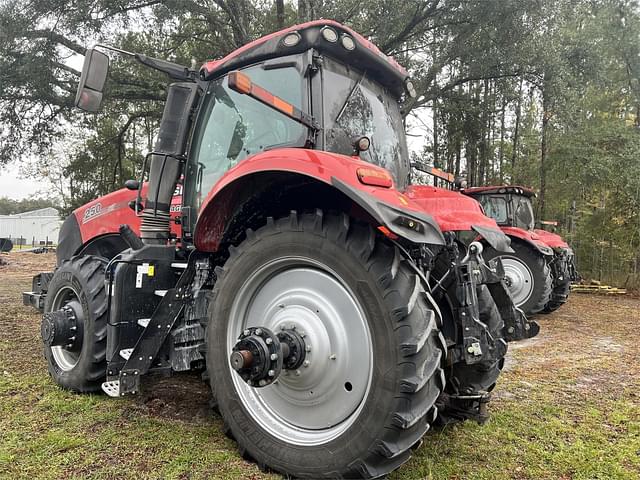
353 107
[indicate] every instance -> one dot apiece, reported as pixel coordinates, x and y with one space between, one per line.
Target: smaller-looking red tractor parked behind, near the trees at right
540 272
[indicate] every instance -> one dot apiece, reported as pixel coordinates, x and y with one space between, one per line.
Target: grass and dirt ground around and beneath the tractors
567 406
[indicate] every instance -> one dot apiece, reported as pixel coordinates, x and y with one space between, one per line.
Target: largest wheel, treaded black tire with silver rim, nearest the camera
366 391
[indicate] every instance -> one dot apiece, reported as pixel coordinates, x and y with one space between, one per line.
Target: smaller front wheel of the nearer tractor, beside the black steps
78 285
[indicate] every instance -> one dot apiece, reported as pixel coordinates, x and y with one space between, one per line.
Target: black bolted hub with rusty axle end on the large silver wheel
259 356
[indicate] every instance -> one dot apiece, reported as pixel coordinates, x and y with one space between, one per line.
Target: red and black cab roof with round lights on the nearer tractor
365 56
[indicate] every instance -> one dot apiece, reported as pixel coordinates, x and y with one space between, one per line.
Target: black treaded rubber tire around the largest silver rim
408 349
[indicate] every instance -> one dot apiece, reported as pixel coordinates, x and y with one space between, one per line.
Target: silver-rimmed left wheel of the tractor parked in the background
527 276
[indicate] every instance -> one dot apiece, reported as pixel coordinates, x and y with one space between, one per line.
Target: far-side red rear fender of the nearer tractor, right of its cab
456 212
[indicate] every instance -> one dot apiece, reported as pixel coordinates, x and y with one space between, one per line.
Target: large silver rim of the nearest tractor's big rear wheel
320 400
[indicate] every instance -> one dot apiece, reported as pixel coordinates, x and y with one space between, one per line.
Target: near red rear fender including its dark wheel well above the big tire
327 181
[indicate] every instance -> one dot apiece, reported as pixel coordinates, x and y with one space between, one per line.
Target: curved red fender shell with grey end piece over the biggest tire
339 171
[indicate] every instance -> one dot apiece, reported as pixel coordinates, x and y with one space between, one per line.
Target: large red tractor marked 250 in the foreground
278 246
